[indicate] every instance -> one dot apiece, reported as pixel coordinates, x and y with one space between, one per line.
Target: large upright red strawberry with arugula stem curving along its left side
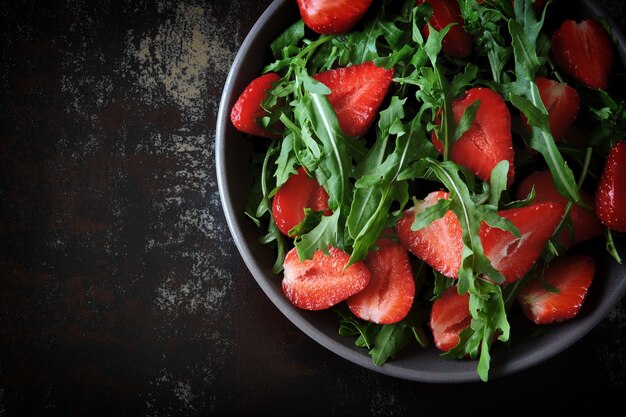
489 140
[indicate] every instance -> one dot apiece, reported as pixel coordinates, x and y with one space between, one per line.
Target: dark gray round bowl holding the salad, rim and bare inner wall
233 153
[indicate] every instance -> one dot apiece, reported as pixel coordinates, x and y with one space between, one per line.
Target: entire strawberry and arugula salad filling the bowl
427 168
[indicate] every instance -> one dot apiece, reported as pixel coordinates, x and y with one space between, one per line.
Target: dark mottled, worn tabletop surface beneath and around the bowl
122 292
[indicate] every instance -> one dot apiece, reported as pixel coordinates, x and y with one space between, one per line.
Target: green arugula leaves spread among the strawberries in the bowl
370 180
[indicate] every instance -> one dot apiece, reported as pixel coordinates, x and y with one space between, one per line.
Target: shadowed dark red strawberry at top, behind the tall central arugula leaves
457 42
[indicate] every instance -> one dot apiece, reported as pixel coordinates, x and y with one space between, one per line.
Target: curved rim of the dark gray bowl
459 372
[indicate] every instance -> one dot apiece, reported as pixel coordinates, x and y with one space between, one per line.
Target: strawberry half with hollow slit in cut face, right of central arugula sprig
514 256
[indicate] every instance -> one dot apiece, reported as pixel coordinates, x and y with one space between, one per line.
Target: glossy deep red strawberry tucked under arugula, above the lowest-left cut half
299 192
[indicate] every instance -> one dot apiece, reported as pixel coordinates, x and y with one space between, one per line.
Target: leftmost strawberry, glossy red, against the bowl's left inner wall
247 109
